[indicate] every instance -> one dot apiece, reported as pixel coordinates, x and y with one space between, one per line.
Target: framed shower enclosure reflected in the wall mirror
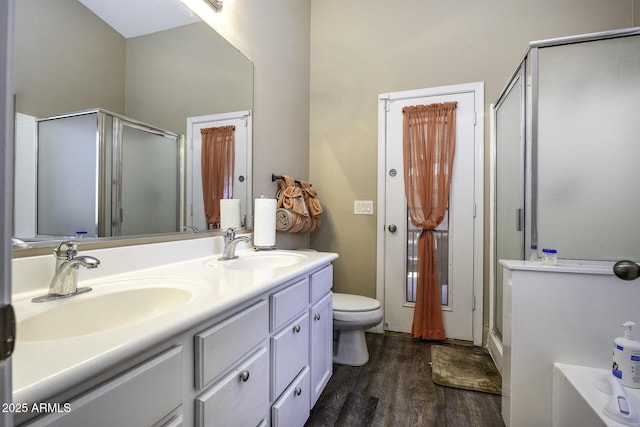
101 174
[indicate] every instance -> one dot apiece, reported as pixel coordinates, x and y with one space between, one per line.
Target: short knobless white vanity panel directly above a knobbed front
222 345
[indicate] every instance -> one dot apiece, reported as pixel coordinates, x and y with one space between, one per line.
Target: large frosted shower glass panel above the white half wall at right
588 127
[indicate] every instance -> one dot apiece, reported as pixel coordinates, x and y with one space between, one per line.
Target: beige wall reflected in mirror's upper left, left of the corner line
61 50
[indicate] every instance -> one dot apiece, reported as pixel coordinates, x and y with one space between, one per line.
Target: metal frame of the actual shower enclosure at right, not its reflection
528 70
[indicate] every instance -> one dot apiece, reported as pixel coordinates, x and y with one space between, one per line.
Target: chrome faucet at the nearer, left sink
65 280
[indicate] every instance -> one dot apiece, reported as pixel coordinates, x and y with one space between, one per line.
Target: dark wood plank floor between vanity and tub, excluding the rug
395 389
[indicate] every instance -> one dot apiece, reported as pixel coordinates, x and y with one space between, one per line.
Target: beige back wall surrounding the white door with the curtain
362 48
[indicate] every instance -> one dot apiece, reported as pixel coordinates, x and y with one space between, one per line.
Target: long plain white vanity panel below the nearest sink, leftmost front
141 396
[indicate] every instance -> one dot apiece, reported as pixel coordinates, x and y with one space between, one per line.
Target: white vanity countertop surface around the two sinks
43 369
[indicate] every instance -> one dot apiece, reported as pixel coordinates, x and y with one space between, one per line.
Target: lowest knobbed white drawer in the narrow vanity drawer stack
292 409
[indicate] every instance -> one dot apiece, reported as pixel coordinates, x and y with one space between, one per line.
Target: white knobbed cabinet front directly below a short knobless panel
240 398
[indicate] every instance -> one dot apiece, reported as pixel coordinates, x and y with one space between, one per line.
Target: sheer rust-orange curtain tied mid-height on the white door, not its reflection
428 144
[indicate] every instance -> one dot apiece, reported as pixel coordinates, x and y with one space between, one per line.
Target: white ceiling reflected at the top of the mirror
133 18
